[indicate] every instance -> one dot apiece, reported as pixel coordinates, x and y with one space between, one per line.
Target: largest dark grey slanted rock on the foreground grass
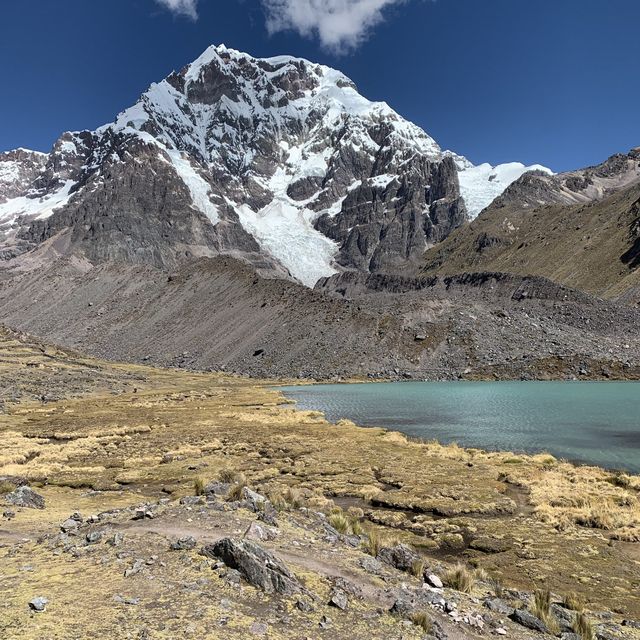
259 567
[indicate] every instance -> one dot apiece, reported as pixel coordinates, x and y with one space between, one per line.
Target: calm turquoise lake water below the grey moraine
591 422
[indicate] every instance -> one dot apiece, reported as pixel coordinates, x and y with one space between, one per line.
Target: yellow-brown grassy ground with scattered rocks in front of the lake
203 505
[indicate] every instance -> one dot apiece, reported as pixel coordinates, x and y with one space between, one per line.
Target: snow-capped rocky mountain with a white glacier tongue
279 161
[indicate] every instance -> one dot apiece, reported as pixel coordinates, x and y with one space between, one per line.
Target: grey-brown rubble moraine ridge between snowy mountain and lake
217 314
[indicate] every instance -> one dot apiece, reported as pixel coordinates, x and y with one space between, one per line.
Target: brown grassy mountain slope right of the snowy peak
580 228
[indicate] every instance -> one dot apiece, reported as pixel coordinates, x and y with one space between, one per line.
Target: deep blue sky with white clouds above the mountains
555 82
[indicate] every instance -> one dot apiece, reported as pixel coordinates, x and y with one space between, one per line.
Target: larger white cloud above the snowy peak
340 25
